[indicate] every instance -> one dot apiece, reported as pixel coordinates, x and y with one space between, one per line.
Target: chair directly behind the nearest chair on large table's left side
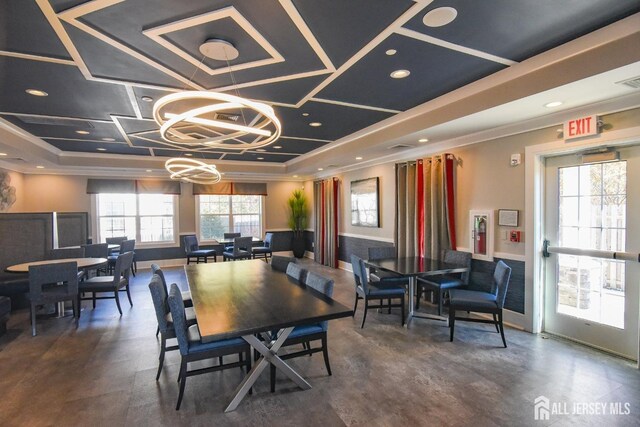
159 296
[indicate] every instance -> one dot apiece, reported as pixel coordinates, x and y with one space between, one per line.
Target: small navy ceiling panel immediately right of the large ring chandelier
337 120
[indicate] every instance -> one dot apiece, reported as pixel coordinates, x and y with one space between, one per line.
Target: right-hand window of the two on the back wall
229 214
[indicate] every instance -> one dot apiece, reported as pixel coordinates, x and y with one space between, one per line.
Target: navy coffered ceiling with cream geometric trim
103 63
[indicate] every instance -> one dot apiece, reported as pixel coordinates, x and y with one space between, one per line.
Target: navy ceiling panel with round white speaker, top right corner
519 29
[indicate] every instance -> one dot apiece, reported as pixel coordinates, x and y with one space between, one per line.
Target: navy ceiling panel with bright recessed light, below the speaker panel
434 72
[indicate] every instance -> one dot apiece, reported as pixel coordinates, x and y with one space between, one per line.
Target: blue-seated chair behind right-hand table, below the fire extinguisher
442 284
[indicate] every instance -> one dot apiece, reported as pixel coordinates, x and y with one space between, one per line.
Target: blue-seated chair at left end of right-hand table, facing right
367 291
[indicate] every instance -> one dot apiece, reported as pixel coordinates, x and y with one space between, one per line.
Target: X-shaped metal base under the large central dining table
269 352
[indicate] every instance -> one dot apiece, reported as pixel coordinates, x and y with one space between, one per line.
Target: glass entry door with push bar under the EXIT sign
593 206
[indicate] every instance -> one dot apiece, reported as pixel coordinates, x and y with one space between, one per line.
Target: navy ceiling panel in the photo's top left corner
24 29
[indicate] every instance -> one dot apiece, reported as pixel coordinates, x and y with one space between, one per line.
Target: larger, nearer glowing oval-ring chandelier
219 116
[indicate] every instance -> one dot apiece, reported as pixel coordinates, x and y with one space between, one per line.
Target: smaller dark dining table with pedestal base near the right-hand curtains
412 267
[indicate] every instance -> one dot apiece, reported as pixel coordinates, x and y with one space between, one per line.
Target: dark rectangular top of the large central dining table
238 298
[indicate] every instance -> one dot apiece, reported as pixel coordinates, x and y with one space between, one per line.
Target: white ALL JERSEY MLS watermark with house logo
544 408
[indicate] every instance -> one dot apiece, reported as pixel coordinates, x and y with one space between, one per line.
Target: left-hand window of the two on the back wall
149 218
